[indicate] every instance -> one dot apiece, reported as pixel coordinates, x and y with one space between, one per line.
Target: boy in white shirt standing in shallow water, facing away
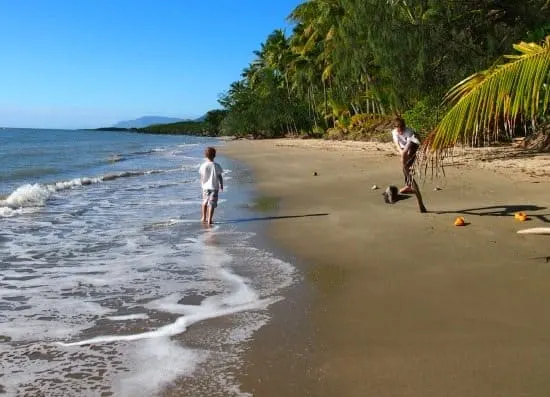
211 183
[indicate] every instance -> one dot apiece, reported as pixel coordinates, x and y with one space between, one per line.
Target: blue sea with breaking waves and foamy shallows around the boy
109 284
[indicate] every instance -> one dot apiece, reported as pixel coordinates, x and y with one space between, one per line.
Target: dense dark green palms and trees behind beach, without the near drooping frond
346 61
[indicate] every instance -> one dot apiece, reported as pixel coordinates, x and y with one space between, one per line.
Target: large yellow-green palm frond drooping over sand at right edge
492 102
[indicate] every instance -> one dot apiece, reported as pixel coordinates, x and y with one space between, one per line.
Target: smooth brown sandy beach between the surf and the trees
398 303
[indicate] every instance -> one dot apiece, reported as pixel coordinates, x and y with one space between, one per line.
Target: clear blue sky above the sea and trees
92 63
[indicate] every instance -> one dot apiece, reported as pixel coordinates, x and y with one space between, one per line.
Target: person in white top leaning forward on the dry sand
407 144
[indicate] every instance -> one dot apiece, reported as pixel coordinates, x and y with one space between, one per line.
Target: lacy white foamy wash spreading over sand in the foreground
71 303
